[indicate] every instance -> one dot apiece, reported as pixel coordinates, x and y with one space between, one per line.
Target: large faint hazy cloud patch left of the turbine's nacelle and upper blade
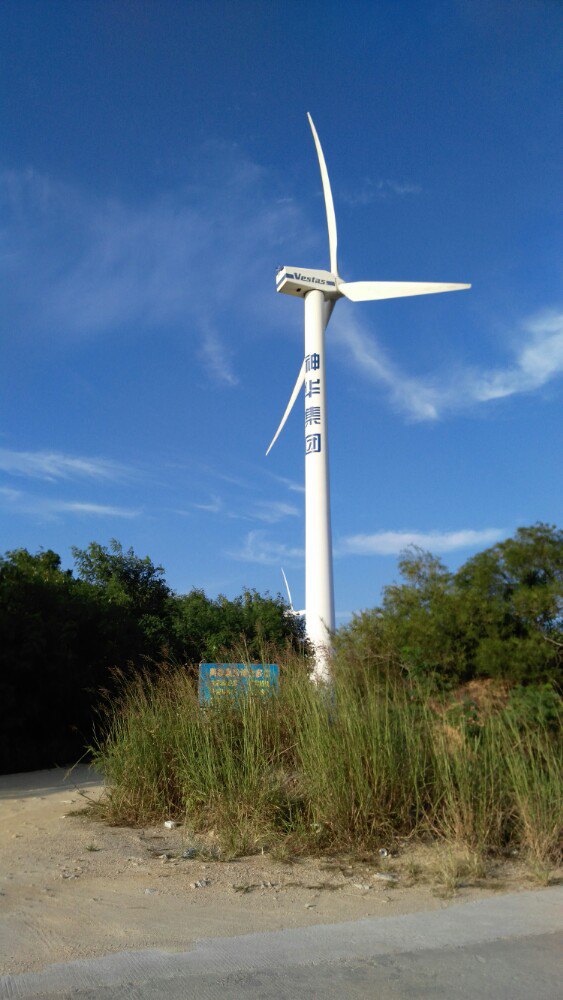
79 265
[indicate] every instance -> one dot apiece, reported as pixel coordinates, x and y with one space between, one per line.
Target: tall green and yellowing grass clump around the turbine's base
315 769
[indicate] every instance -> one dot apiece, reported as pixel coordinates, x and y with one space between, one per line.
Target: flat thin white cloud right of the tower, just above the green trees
390 543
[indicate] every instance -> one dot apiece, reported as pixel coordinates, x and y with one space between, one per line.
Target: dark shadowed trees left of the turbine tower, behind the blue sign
63 636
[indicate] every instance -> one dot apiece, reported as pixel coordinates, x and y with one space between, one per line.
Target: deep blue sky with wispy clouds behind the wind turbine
157 165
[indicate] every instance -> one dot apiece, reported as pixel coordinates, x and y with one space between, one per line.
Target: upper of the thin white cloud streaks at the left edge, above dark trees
51 465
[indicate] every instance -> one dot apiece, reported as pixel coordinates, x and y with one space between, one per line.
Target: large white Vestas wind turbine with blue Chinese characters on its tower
320 290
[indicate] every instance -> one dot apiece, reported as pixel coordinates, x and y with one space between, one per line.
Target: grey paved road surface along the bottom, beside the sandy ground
503 948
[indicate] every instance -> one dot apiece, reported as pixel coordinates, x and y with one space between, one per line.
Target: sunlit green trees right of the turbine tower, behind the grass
500 615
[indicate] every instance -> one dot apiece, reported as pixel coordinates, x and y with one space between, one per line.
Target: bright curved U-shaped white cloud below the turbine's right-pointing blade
538 358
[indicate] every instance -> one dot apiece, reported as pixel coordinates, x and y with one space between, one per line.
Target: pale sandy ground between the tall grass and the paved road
72 887
